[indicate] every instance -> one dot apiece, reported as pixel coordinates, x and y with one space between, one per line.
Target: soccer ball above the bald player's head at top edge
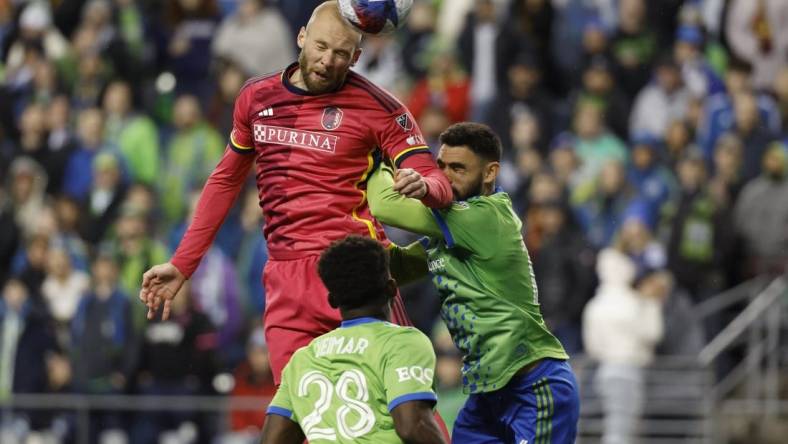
375 16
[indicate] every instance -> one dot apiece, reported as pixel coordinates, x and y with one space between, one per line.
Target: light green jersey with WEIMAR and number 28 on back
344 384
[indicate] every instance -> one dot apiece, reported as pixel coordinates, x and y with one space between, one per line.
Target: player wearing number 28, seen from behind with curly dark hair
369 381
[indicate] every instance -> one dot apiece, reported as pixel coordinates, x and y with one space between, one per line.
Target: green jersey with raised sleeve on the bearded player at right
484 277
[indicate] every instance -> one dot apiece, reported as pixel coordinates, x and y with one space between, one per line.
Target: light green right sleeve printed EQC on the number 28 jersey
408 368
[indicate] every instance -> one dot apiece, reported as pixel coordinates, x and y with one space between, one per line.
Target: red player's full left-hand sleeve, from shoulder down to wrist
220 191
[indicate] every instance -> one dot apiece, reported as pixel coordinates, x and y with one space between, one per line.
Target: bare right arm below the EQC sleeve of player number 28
415 423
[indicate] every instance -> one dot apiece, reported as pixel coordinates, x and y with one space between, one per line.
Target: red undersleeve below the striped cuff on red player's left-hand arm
218 196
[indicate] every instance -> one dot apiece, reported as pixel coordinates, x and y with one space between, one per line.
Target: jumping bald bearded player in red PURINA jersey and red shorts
310 132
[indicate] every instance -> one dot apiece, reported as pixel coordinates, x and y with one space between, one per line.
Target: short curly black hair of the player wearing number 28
355 270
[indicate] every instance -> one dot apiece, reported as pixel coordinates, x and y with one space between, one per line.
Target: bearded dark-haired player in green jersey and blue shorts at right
521 388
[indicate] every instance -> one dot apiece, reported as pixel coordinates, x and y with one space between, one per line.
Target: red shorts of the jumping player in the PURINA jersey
297 310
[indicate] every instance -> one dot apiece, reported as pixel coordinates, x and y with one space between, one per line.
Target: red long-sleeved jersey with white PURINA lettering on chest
312 155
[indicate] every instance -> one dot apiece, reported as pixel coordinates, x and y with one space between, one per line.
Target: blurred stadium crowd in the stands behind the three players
654 127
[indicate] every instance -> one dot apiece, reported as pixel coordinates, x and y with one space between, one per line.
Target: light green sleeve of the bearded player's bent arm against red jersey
391 208
